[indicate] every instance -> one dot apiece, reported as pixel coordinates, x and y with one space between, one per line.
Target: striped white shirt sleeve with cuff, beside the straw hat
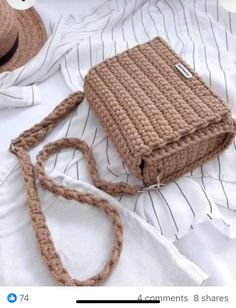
63 38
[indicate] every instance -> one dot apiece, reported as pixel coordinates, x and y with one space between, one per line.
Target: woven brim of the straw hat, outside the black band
31 35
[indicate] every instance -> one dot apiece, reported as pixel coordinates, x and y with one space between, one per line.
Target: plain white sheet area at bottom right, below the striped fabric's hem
212 252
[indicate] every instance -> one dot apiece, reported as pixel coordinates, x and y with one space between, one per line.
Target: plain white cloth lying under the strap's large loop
82 236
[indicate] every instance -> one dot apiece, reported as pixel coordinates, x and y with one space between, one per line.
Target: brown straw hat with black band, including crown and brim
22 34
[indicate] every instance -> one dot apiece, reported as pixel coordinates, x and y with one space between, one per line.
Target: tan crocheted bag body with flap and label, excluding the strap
161 116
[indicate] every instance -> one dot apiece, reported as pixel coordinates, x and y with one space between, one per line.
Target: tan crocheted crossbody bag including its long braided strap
163 120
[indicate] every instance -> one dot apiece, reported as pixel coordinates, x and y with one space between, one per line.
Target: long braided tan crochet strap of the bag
20 147
